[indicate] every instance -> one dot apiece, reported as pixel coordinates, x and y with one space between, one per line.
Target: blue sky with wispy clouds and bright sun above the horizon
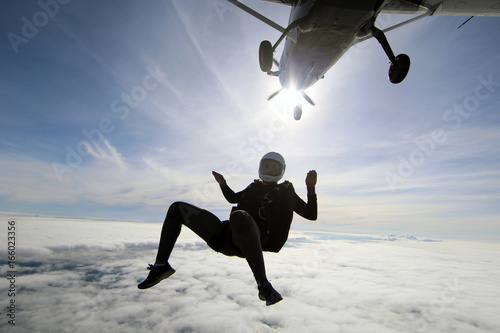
115 110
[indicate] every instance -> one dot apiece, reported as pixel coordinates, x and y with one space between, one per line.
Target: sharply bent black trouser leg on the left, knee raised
202 222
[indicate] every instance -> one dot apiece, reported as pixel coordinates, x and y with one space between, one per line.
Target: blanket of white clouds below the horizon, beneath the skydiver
84 278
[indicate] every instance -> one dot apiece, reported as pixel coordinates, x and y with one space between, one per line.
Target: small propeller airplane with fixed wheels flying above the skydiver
319 32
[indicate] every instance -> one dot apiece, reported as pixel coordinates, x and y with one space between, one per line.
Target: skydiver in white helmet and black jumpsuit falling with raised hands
260 222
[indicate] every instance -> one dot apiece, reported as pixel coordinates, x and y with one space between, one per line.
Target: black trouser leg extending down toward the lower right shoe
246 235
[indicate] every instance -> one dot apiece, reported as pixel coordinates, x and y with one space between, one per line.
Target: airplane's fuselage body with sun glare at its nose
327 30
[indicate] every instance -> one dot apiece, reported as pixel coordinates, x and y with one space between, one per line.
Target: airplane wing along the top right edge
448 7
